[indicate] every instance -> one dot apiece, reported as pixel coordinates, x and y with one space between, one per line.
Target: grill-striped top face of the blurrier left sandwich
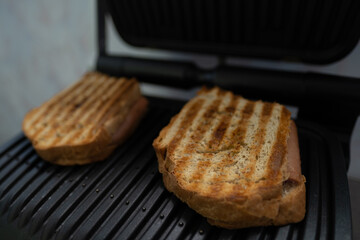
76 115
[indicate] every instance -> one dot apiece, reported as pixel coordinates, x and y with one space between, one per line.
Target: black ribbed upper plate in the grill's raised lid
310 30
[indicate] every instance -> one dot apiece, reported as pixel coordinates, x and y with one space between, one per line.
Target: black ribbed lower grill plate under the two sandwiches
124 197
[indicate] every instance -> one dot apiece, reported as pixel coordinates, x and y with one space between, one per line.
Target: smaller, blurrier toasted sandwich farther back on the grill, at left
85 122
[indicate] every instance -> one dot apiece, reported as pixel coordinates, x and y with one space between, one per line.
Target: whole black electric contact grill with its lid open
123 197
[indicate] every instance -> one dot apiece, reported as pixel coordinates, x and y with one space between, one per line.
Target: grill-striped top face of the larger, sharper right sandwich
229 142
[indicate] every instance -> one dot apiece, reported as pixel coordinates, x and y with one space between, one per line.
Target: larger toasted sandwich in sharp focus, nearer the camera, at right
227 158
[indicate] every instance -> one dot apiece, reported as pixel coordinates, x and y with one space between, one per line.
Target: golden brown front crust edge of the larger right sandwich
238 212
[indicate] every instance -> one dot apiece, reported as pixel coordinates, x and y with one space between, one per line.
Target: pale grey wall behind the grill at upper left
44 46
